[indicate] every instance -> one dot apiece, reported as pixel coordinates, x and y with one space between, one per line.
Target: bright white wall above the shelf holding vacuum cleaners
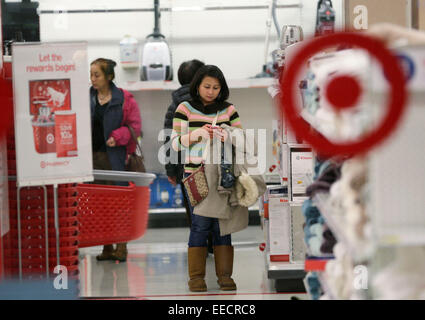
231 39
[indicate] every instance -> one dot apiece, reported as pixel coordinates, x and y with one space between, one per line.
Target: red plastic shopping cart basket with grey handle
113 214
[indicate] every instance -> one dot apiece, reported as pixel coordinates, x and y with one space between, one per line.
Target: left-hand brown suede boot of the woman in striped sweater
196 261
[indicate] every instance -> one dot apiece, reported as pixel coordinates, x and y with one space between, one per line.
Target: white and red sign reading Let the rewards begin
52 113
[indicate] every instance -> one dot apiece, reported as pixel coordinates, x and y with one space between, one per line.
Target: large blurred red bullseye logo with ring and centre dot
343 92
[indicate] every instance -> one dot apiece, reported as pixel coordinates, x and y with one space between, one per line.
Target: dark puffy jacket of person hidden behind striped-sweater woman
180 95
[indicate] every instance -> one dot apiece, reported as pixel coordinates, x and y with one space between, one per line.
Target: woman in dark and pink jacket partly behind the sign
112 110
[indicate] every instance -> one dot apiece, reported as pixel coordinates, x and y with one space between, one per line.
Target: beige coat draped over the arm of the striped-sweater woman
222 203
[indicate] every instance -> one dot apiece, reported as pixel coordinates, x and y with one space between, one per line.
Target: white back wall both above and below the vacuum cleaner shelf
232 39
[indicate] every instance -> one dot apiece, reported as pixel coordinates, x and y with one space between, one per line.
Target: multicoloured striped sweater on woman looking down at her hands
187 119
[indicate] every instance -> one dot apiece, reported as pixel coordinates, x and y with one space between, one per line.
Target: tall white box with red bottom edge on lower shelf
279 229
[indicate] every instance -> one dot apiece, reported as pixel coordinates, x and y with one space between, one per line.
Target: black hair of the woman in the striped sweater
213 72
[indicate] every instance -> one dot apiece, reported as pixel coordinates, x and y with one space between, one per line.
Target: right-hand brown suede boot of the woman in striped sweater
223 256
